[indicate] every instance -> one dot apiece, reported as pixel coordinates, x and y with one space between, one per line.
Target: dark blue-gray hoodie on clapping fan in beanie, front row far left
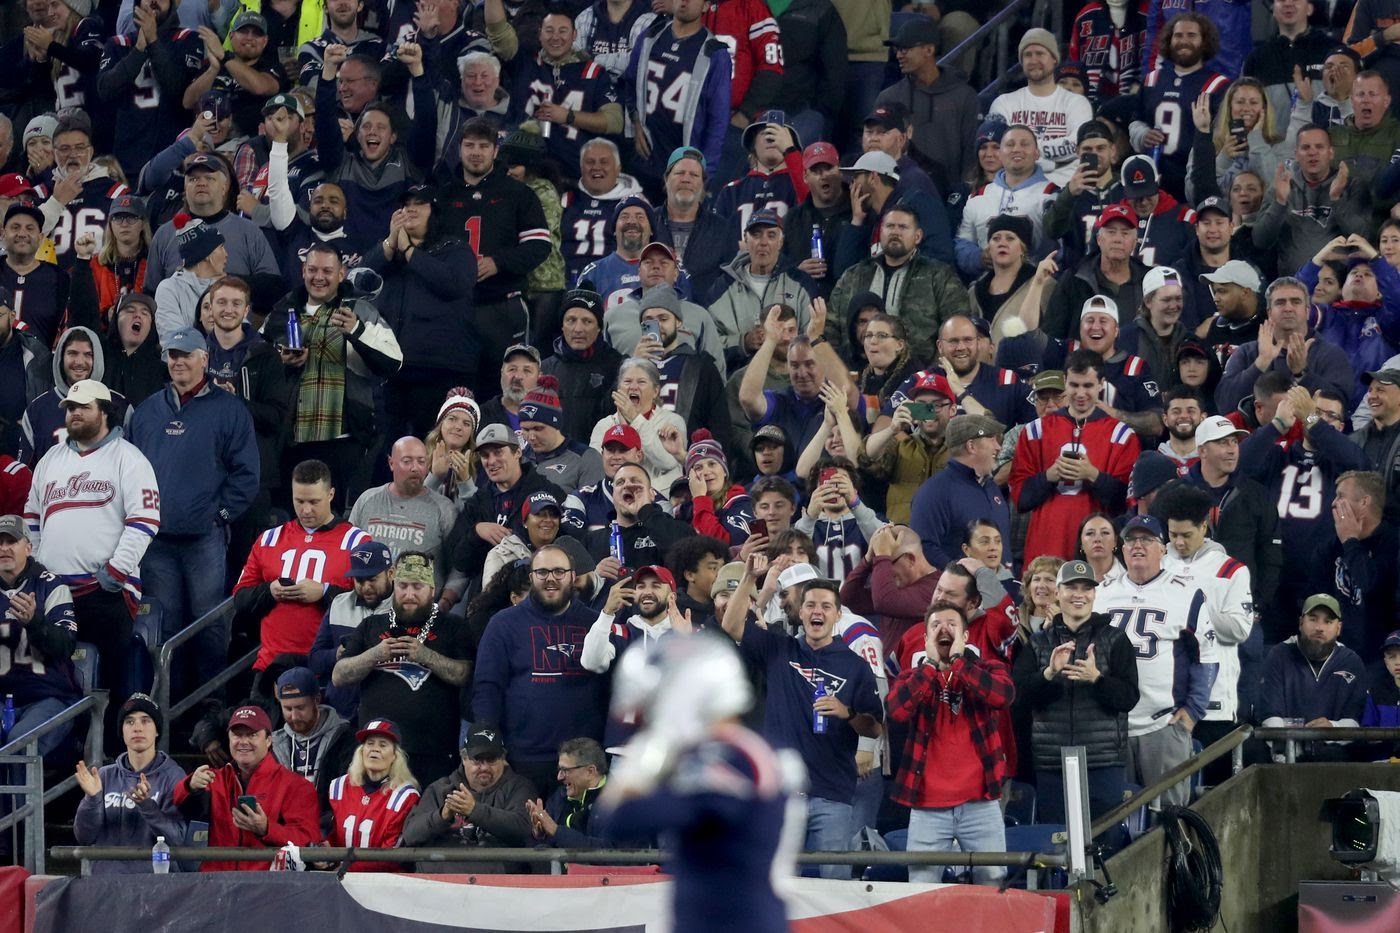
113 819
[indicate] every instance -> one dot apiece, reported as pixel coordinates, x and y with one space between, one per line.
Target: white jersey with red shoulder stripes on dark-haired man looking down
1231 609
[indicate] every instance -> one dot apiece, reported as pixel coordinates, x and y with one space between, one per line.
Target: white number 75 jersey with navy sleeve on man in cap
1168 624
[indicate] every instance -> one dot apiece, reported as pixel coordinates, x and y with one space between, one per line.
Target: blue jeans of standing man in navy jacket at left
185 579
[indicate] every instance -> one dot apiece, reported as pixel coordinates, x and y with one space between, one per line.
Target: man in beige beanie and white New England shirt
1052 113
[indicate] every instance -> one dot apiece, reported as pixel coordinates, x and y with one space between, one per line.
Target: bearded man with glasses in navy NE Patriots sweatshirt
530 676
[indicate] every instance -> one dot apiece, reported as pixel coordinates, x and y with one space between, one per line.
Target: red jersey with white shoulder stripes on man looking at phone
1058 509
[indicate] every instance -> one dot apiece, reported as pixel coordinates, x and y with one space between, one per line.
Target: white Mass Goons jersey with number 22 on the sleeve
96 509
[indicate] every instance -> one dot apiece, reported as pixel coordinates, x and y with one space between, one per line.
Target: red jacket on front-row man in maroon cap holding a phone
288 799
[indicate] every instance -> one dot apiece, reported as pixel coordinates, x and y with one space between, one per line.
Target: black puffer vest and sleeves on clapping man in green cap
1070 714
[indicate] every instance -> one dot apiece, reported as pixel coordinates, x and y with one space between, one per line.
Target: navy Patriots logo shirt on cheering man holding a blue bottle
794 673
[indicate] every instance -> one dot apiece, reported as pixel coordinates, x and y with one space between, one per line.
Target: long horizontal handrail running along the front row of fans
589 857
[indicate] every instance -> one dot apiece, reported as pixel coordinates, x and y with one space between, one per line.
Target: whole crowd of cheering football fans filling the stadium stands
471 347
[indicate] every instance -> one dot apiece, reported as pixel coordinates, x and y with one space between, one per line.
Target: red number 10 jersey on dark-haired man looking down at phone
293 553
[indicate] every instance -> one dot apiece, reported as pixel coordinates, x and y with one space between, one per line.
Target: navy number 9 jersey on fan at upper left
150 114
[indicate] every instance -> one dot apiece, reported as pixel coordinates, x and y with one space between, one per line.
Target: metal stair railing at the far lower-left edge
24 752
